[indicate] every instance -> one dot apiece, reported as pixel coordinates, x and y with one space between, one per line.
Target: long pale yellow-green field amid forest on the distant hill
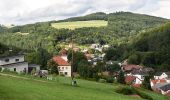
79 24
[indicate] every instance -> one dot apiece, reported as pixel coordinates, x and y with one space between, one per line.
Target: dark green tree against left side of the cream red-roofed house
52 67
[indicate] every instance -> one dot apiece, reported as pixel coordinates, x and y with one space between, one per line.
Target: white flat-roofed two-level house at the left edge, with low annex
17 63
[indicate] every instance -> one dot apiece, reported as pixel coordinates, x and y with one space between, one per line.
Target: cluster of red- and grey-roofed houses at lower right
135 74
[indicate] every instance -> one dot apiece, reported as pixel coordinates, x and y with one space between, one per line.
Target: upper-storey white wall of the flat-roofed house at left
12 60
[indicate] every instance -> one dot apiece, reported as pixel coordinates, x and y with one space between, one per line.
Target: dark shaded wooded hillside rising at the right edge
152 48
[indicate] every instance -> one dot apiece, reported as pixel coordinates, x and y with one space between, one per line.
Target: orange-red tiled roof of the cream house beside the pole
60 61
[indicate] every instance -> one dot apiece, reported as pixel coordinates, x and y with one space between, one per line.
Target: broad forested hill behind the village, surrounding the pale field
122 27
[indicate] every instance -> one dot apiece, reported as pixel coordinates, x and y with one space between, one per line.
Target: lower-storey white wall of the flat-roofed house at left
19 67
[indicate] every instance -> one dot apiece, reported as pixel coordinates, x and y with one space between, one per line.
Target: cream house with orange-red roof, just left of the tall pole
63 66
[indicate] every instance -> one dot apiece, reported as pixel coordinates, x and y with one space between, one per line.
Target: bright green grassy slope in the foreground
60 89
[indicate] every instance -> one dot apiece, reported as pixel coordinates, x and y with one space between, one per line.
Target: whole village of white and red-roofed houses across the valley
134 75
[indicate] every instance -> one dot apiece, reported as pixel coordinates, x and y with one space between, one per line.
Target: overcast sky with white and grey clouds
30 11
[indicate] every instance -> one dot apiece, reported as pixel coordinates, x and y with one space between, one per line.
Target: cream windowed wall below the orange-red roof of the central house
63 69
